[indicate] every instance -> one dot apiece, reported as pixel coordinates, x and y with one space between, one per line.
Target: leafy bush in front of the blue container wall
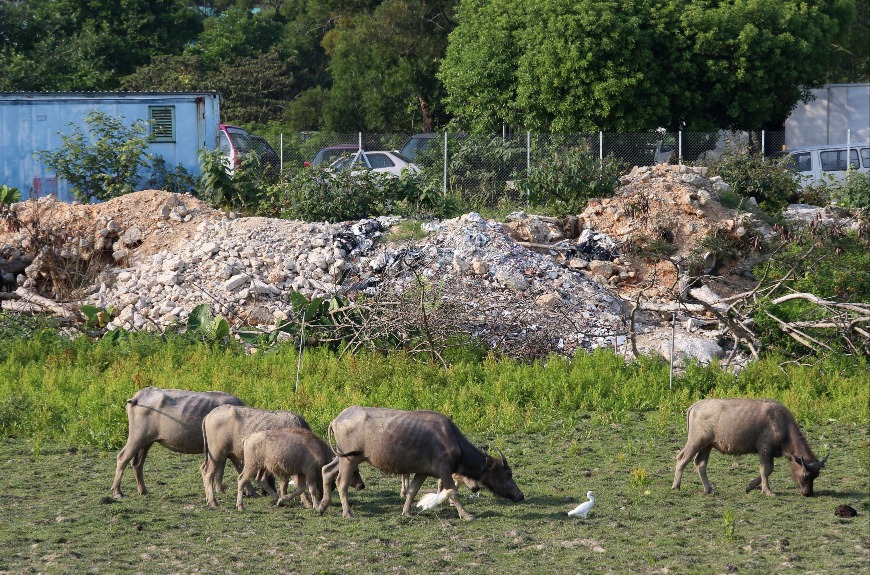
110 165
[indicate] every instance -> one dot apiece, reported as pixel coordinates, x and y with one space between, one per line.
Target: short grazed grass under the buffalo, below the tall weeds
59 517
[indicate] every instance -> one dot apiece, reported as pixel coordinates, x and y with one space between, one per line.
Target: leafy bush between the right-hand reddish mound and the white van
750 174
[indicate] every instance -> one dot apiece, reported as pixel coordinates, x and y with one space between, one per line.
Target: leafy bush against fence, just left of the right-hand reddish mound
569 179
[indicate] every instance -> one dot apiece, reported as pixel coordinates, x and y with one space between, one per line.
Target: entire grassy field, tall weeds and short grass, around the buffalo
565 426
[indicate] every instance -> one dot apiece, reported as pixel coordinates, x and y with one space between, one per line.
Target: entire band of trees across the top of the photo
414 65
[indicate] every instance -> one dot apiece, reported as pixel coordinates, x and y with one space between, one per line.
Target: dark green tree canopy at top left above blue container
87 45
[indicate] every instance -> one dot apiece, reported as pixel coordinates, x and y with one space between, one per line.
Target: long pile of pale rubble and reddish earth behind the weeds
566 284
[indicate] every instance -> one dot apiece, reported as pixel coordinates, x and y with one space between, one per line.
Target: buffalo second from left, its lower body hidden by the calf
223 433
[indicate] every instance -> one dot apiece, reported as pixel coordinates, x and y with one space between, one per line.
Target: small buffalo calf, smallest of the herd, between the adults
286 453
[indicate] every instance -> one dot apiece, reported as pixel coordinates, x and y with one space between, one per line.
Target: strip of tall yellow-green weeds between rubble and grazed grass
53 388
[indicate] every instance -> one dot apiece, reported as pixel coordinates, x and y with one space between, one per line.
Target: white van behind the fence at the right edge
818 164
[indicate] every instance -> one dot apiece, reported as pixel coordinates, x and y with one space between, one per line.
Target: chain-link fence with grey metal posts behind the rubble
484 170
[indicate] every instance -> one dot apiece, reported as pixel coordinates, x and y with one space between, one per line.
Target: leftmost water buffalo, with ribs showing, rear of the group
170 417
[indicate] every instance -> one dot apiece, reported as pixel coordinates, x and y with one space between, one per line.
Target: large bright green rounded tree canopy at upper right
604 64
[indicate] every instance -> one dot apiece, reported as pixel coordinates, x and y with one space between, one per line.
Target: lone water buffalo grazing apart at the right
742 426
